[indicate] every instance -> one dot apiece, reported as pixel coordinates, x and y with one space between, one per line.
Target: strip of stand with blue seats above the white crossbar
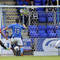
29 2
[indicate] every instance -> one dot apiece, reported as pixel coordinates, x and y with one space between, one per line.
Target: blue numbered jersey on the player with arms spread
16 30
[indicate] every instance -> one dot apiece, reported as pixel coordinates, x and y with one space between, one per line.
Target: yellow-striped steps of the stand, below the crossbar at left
11 15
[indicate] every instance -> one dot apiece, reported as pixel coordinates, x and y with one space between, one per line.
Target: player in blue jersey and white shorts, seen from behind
16 34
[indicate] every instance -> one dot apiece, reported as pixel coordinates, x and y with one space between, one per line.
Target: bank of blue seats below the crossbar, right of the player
46 29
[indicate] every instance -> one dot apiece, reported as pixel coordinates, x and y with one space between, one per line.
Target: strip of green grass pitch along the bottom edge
30 58
